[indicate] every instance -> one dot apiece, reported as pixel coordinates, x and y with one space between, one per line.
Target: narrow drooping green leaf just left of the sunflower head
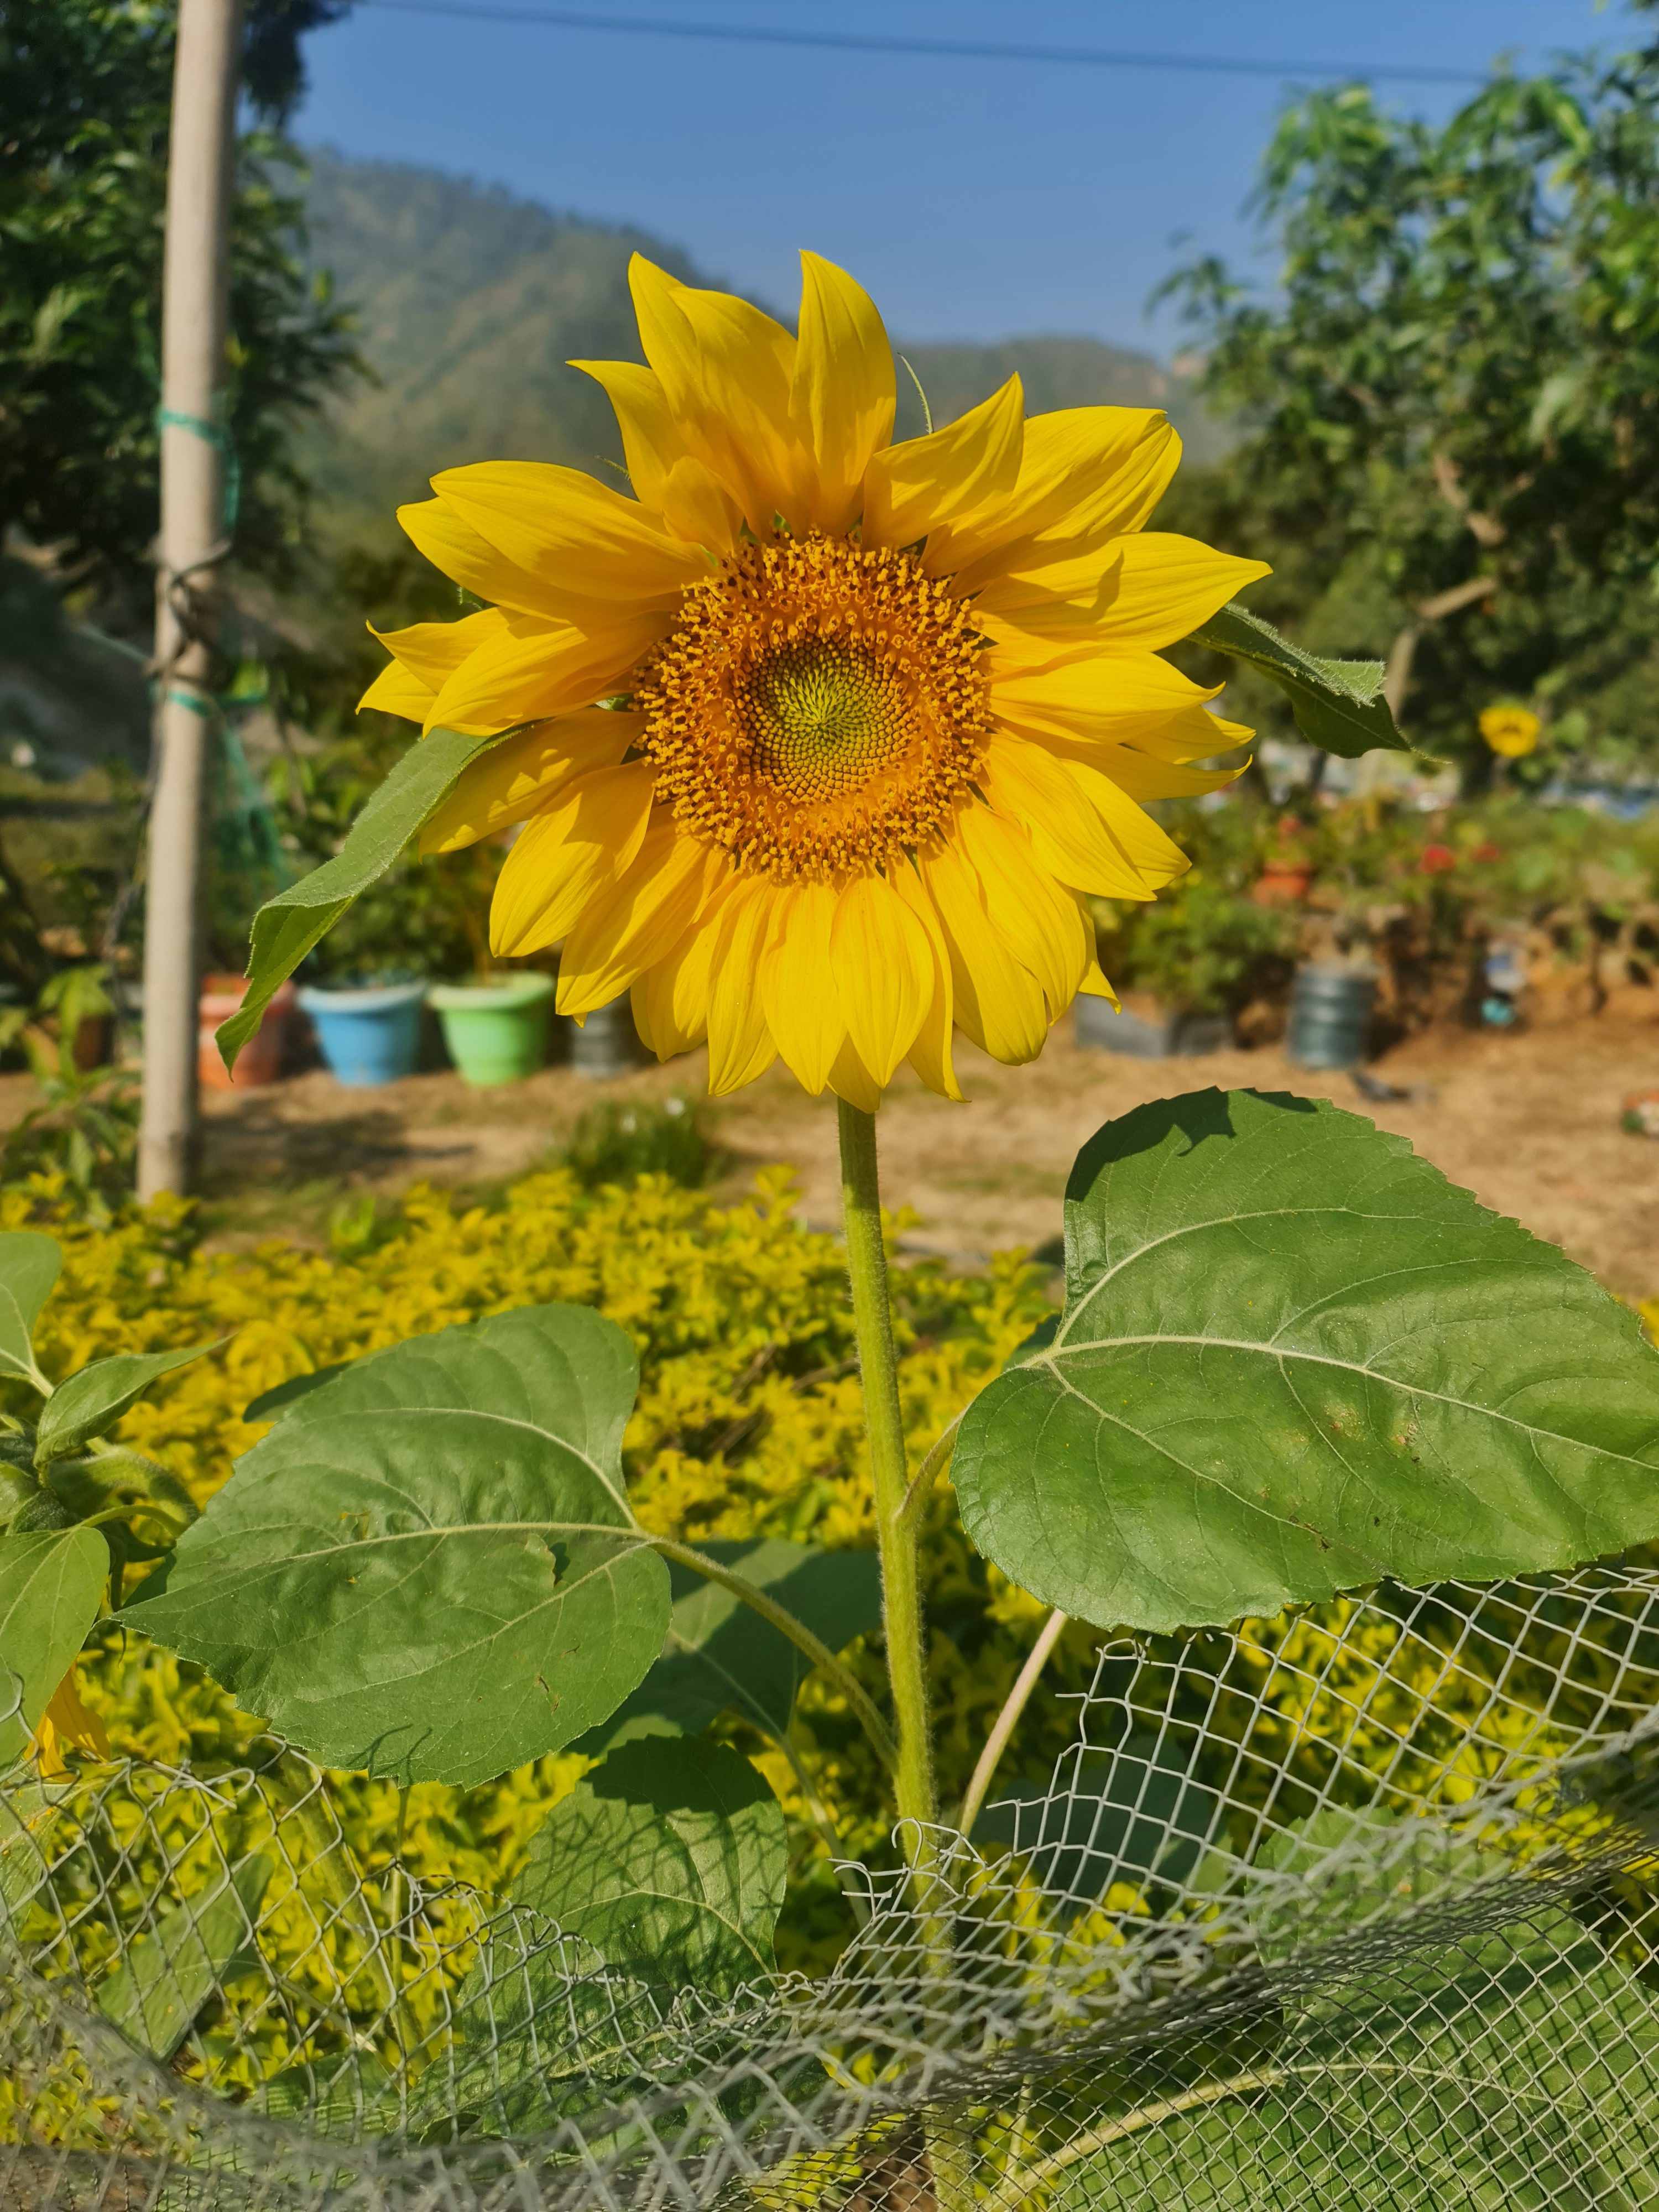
289 926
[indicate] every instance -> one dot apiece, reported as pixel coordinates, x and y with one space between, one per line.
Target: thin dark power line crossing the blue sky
957 50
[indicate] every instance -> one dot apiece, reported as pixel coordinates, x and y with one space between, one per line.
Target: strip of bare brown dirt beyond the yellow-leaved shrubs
1527 1120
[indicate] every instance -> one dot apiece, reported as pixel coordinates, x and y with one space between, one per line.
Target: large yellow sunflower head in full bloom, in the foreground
828 738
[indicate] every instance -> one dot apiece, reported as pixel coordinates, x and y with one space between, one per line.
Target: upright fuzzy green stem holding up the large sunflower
901 1594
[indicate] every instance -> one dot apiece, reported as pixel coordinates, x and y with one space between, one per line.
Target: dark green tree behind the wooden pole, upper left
85 90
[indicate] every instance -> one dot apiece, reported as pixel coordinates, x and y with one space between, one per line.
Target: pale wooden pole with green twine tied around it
196 320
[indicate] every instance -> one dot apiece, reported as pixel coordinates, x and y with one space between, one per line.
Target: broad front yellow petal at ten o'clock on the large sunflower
570 532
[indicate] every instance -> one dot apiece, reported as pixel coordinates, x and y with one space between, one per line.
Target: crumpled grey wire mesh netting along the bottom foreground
1355 1908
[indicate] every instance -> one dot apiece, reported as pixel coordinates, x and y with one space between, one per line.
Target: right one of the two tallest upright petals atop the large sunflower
842 395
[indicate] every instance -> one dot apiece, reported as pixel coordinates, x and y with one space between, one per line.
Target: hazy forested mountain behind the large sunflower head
472 302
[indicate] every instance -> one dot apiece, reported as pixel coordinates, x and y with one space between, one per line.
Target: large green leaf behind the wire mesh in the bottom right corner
1490 2069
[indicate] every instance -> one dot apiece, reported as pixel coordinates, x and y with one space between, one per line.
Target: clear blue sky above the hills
974 198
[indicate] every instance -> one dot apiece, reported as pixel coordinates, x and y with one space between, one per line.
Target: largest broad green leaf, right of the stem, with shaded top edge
1297 1359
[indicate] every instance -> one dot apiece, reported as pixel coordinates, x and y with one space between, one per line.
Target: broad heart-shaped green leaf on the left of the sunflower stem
428 1567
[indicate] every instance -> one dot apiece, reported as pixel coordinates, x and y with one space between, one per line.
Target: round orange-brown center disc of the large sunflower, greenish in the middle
817 707
